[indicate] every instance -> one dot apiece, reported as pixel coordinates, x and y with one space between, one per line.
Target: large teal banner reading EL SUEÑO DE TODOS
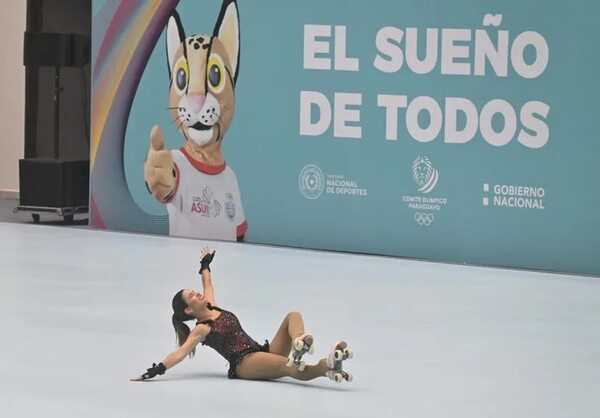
461 131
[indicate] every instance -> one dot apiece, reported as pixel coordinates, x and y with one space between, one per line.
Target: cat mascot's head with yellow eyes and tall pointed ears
203 70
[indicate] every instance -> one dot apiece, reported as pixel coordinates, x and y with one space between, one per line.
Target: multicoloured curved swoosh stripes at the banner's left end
124 35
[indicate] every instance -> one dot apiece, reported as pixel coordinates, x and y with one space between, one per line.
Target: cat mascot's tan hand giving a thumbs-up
159 170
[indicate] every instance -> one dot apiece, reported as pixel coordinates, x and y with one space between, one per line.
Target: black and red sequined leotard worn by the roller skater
227 337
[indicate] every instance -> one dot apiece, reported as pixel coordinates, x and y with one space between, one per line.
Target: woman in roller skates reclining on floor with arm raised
221 330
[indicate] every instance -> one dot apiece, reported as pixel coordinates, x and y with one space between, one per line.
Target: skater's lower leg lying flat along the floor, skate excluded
266 366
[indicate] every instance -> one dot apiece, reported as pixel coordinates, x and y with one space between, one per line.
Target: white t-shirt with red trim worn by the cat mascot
207 203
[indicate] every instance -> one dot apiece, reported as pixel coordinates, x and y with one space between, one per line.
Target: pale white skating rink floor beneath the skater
82 311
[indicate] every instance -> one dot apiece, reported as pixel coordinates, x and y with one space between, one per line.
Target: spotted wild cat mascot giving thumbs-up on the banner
195 183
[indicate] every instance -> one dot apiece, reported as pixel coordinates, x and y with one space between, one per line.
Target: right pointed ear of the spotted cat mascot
227 30
